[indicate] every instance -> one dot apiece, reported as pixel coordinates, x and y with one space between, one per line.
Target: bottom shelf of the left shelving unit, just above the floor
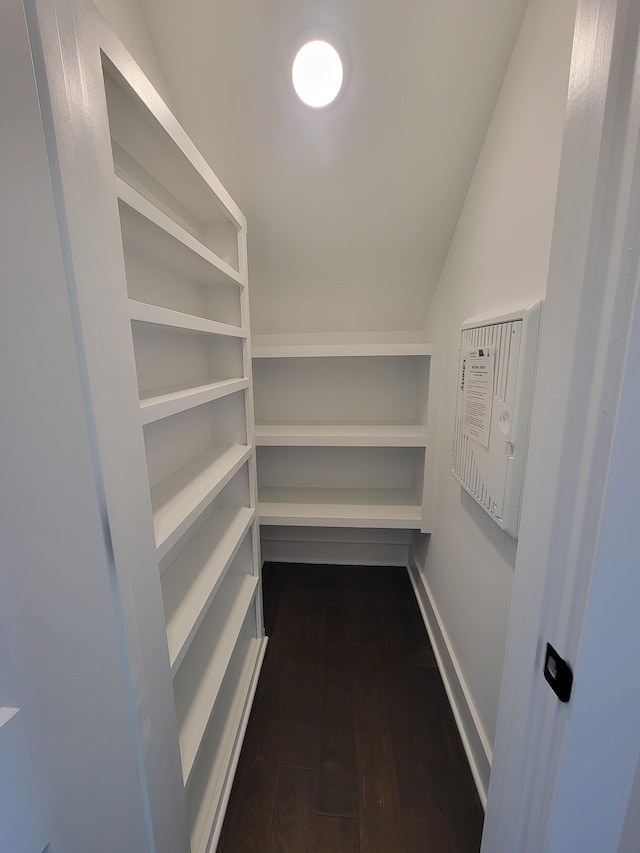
208 793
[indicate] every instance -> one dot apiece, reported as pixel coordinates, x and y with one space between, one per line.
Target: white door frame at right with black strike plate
572 575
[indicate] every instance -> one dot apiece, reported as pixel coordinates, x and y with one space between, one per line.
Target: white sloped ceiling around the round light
351 209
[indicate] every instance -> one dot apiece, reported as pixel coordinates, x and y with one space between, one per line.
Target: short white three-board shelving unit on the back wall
342 428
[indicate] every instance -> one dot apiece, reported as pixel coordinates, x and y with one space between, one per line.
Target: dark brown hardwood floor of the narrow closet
351 745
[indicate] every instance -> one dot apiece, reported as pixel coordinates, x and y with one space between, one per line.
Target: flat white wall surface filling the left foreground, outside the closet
61 625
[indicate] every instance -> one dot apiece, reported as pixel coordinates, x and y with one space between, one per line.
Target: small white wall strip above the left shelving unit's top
126 18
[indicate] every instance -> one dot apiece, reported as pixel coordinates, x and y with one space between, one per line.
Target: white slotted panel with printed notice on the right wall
493 474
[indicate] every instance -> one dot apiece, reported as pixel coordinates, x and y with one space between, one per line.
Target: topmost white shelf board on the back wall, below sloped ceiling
328 344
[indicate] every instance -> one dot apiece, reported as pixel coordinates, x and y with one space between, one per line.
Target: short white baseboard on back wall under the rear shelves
335 553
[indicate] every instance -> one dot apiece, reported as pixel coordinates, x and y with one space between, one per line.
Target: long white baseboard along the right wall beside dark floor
475 742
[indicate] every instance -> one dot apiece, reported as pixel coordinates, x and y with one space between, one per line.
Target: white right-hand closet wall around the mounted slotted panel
498 258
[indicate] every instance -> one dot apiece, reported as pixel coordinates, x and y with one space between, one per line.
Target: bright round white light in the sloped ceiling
317 73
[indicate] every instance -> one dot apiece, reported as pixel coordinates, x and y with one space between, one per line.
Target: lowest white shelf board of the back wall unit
340 507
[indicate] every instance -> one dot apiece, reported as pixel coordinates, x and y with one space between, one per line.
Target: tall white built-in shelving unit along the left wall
184 253
